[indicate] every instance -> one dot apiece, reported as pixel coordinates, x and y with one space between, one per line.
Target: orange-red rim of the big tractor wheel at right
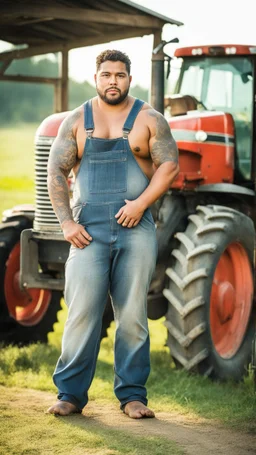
231 300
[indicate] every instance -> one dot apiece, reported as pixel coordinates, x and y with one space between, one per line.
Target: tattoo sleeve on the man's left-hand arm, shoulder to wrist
62 158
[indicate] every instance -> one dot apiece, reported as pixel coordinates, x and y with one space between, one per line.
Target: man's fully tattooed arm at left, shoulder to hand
62 158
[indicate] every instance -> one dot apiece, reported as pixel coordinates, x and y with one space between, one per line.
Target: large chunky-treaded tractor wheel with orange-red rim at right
210 294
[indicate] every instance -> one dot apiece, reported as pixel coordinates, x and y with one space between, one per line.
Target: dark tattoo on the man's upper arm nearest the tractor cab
164 147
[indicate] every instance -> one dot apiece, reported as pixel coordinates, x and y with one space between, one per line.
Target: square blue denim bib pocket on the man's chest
108 172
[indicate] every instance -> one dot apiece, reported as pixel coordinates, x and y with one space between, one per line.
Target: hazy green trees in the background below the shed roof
32 102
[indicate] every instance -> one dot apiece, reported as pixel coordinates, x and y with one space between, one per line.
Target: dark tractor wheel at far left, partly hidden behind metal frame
25 316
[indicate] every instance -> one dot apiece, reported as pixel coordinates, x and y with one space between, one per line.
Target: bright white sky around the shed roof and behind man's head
205 22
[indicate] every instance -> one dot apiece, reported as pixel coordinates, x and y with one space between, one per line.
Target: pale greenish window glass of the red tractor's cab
224 84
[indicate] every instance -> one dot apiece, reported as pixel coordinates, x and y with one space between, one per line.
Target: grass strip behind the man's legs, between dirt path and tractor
168 388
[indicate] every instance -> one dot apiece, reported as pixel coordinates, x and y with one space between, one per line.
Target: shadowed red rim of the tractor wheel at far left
26 307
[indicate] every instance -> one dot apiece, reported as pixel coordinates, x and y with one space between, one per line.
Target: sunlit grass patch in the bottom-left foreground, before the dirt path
76 436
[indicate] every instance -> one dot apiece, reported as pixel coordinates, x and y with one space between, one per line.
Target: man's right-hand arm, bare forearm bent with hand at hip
164 154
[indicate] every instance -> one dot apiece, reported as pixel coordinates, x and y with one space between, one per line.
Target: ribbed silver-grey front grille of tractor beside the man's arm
45 218
